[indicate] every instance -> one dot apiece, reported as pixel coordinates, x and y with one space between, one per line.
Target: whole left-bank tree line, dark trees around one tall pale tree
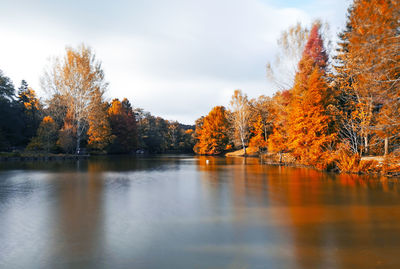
75 118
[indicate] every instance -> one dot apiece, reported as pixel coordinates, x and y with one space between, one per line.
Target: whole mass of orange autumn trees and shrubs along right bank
337 110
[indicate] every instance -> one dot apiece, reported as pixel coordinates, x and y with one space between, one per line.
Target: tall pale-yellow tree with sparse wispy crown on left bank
79 78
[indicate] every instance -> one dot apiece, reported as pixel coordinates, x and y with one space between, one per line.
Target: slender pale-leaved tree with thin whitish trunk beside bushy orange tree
241 114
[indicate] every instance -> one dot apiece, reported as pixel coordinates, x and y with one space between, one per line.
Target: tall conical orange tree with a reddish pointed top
309 134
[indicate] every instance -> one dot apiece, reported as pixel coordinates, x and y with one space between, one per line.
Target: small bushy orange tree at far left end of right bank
212 132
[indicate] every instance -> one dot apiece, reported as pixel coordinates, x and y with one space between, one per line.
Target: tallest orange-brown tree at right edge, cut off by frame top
367 70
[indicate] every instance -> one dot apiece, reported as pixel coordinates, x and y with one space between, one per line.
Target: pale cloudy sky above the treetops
176 59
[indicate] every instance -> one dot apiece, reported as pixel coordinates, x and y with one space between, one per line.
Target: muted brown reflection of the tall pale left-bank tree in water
81 214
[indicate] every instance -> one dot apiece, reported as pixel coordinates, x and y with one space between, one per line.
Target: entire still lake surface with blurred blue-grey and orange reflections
186 212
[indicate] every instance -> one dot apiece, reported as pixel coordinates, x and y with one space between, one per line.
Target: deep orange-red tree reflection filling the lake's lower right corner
335 221
